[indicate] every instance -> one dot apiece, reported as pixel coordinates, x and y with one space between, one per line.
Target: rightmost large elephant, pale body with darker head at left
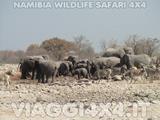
135 60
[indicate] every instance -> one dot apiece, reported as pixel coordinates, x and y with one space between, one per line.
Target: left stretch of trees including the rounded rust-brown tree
56 48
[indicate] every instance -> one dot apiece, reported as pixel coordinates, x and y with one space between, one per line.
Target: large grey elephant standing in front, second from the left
46 69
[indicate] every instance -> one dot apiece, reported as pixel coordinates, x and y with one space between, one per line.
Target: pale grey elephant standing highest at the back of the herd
117 52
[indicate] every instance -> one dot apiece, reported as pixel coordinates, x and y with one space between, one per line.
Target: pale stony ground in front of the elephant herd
70 99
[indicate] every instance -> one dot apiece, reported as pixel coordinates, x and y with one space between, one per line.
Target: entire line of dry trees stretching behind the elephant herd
58 48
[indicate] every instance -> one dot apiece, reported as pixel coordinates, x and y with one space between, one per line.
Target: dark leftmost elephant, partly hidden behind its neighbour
26 65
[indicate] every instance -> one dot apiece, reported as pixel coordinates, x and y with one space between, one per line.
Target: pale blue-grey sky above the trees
21 27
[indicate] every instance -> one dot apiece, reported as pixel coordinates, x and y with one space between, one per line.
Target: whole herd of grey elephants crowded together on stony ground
104 67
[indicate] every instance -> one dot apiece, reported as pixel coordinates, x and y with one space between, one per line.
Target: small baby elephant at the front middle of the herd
81 72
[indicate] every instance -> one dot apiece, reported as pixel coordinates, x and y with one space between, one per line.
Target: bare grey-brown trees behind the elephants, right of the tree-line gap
140 45
